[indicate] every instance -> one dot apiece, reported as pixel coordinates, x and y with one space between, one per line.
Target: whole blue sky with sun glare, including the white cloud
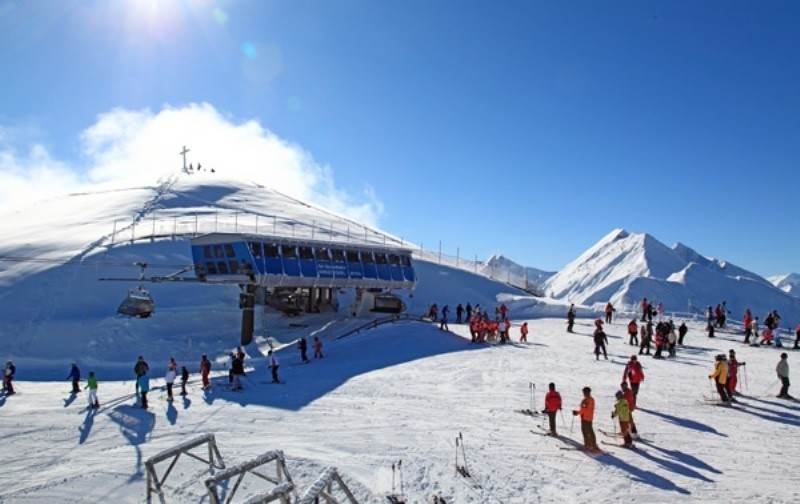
527 128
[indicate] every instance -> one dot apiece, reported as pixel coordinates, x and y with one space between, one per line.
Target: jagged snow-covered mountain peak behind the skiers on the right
625 267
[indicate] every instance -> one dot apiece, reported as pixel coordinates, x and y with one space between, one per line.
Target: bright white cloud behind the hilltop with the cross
137 147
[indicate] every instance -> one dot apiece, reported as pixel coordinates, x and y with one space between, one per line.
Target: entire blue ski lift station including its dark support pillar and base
305 271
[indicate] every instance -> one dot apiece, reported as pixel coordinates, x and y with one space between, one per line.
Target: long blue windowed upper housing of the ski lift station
271 261
